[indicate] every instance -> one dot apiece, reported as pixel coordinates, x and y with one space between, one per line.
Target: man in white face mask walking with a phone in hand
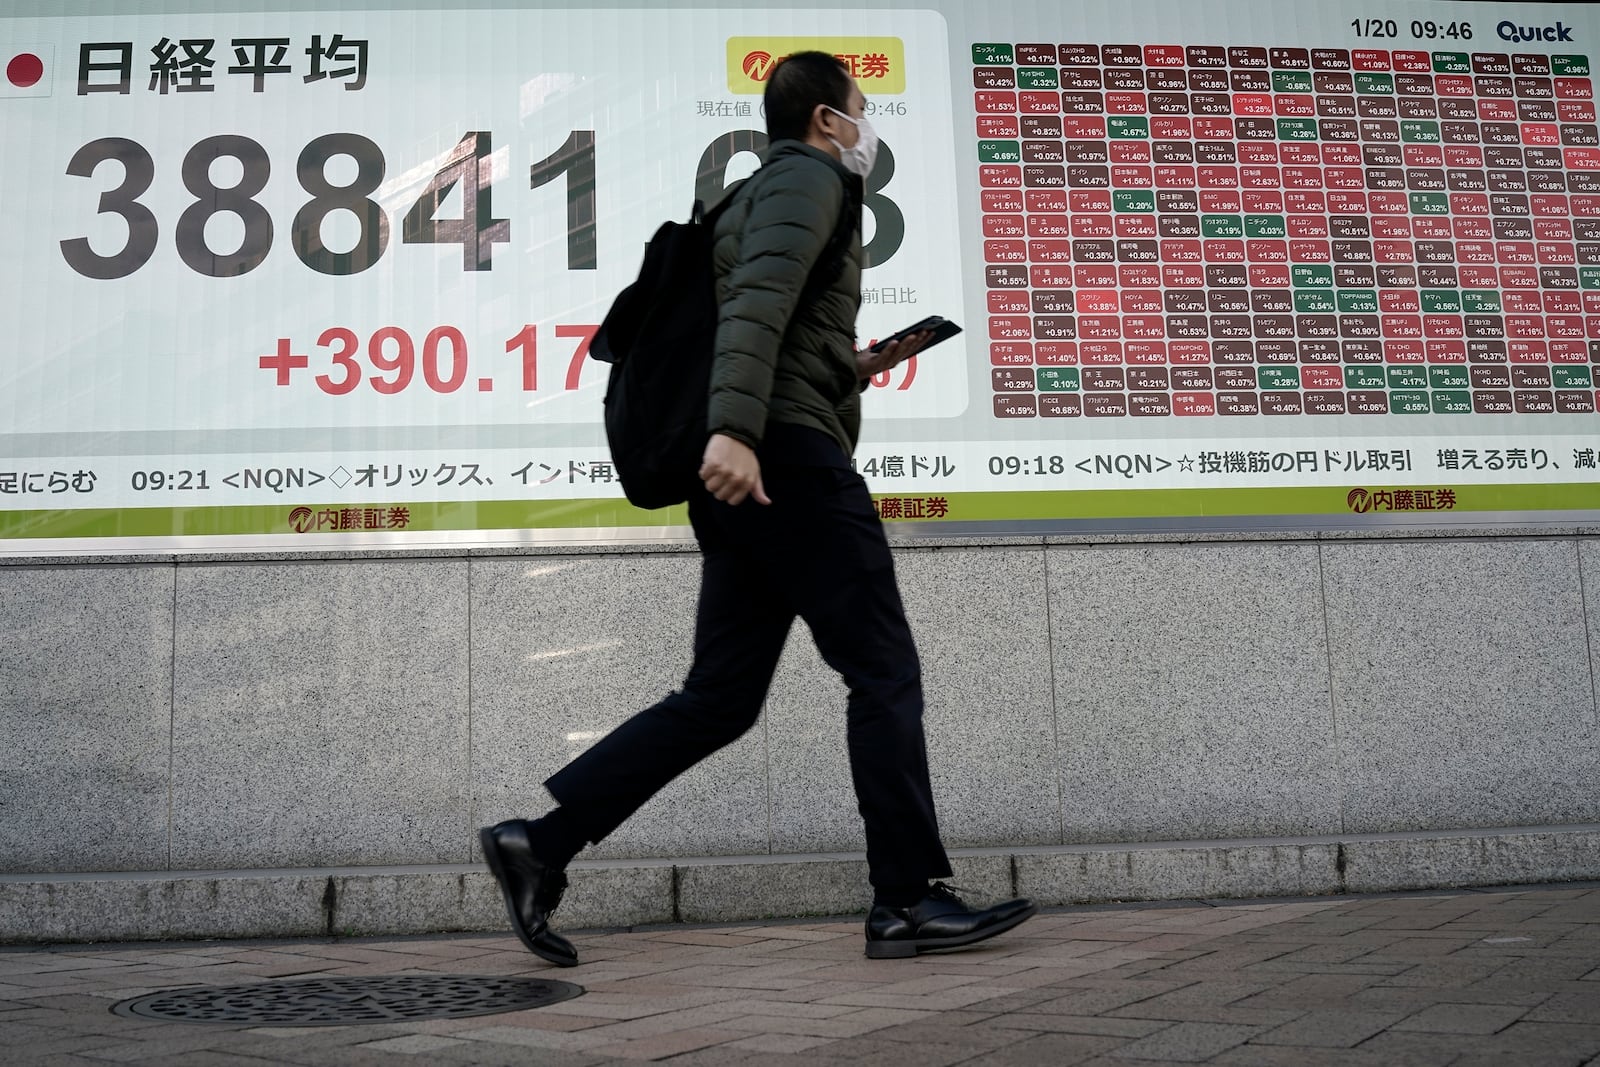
786 530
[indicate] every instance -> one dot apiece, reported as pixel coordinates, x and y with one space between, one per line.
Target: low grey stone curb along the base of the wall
362 901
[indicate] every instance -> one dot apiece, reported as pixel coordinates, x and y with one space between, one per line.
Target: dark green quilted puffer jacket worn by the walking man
778 361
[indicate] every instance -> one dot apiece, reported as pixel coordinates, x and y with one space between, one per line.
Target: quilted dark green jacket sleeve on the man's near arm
791 218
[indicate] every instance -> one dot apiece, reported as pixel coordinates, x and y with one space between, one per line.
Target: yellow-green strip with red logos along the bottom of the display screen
1375 498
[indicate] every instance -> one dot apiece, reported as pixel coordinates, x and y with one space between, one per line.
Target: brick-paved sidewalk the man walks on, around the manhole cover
1466 978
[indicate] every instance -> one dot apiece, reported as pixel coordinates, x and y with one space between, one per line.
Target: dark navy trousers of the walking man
817 553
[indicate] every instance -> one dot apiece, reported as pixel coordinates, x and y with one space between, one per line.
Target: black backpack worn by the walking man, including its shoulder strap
660 338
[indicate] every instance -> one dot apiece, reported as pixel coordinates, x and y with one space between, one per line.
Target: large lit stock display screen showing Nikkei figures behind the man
308 279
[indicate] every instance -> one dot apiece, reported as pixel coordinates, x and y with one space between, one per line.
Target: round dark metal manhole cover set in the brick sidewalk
332 1002
